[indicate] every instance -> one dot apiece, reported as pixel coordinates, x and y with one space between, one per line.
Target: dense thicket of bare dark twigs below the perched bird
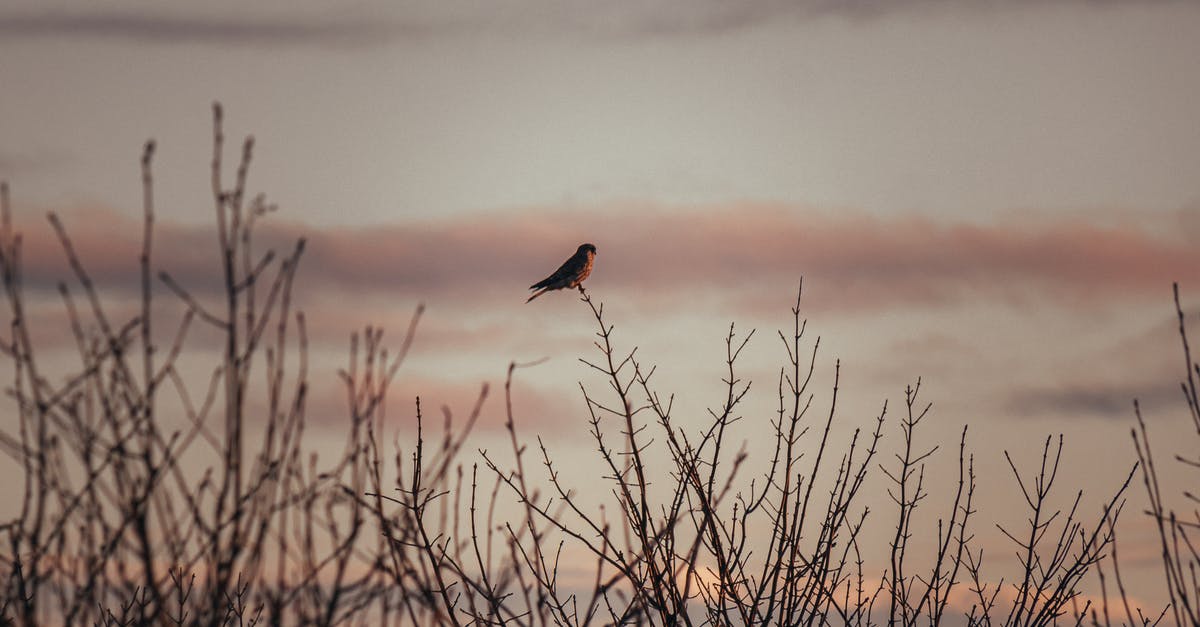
153 498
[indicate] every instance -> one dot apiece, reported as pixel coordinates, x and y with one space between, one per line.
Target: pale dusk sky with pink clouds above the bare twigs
992 196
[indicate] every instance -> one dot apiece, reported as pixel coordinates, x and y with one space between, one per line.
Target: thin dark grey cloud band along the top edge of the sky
449 19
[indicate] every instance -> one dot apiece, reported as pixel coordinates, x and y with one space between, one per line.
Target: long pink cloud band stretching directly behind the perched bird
861 262
